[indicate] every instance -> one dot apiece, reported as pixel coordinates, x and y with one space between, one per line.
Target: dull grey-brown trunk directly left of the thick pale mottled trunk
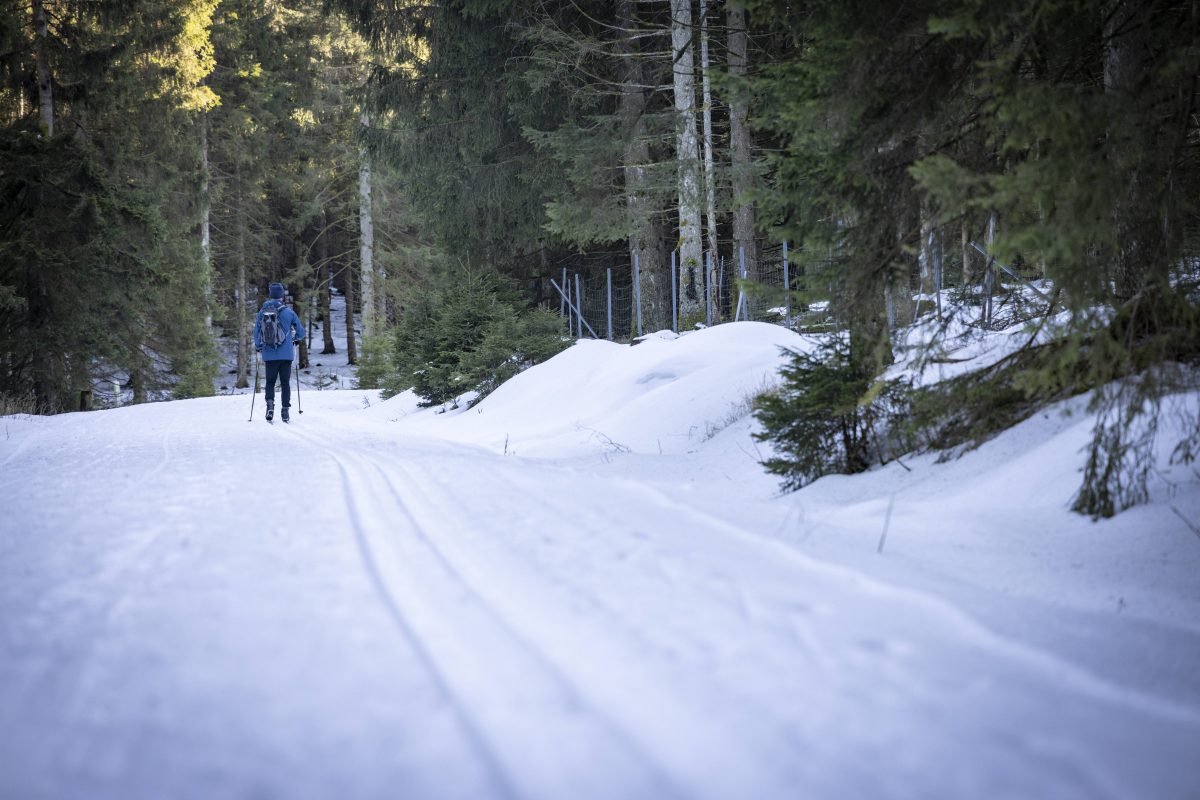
646 233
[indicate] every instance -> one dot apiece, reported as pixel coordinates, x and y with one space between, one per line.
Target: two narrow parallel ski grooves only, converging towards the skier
359 465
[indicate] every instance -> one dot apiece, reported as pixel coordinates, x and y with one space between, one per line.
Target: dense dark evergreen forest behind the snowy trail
161 161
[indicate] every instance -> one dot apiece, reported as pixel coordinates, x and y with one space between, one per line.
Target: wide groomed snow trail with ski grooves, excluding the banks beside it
200 607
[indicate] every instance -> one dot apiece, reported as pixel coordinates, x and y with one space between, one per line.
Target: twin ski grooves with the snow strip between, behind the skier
584 733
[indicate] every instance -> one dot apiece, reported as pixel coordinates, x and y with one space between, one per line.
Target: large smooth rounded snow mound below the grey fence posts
664 395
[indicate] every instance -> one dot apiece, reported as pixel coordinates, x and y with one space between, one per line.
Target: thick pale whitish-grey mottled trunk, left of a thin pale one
688 159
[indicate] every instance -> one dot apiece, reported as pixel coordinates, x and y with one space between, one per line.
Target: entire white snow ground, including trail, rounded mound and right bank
584 587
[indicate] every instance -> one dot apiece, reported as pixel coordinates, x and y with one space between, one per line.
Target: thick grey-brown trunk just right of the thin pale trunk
741 142
